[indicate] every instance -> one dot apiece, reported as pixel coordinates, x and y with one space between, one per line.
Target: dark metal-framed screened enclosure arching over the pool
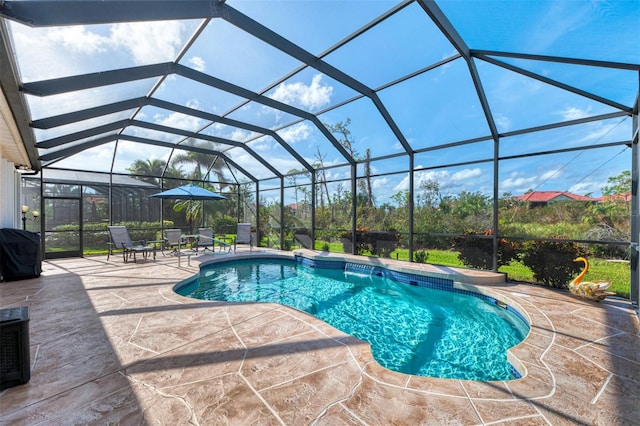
399 129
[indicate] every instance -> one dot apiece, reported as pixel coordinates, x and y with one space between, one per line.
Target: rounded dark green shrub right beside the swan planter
552 261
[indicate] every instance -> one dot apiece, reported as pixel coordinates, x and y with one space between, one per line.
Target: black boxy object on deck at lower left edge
15 360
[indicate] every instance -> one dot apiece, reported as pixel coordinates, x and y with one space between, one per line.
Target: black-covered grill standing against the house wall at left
20 255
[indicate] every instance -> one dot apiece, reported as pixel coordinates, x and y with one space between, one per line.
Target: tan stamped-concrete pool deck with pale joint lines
111 343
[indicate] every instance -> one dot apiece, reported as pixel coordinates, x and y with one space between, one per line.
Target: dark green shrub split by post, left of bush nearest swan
477 252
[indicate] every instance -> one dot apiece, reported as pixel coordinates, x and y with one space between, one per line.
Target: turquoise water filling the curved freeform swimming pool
411 329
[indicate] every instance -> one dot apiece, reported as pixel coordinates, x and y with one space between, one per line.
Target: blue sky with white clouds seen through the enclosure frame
433 108
